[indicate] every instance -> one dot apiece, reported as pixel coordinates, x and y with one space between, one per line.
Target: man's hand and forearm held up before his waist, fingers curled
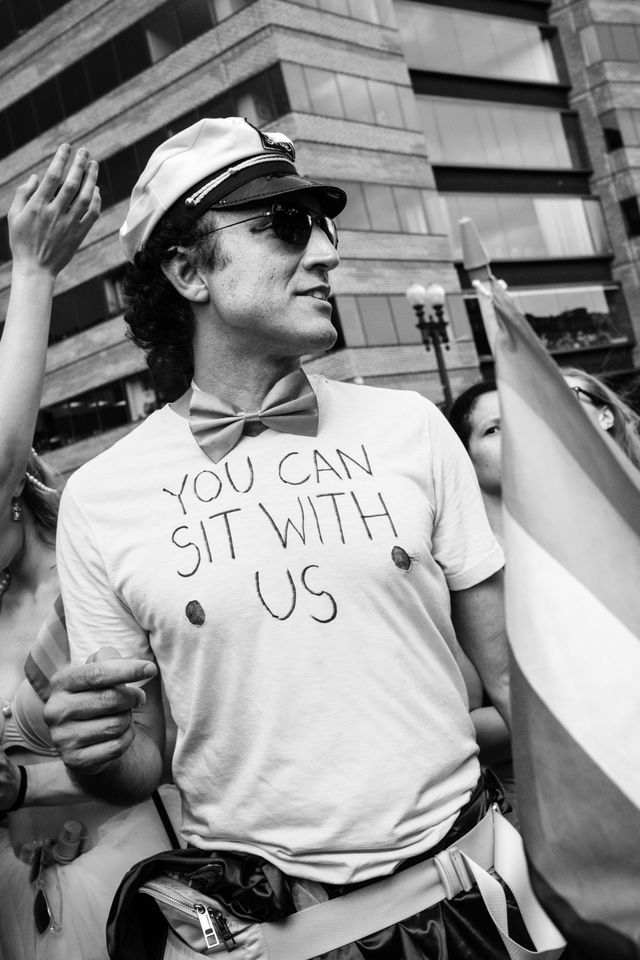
110 734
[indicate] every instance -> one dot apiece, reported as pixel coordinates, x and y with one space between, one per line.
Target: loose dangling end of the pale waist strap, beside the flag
509 862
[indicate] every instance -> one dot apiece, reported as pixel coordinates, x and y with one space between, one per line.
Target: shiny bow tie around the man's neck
290 407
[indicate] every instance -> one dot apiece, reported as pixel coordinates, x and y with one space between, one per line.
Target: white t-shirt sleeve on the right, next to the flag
463 543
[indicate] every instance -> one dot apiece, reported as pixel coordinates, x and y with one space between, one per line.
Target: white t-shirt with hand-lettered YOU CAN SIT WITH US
296 598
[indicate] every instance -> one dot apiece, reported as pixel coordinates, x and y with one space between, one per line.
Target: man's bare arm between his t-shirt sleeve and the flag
478 619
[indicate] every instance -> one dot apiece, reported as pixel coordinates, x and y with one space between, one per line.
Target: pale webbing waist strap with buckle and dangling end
492 842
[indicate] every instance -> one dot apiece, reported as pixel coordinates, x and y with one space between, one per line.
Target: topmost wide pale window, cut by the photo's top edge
482 45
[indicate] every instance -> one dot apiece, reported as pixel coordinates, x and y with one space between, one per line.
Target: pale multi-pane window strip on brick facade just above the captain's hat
312 90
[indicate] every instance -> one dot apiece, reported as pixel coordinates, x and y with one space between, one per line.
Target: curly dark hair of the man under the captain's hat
160 320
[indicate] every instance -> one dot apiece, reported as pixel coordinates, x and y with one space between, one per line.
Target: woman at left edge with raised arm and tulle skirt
49 908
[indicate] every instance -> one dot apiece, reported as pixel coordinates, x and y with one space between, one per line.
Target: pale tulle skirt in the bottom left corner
79 893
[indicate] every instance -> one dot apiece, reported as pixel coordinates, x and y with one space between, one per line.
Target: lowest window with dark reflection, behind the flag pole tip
566 319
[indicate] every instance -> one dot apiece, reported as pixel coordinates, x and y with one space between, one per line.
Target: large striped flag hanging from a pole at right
572 545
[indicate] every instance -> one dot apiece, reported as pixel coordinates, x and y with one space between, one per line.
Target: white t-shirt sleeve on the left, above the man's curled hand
95 615
